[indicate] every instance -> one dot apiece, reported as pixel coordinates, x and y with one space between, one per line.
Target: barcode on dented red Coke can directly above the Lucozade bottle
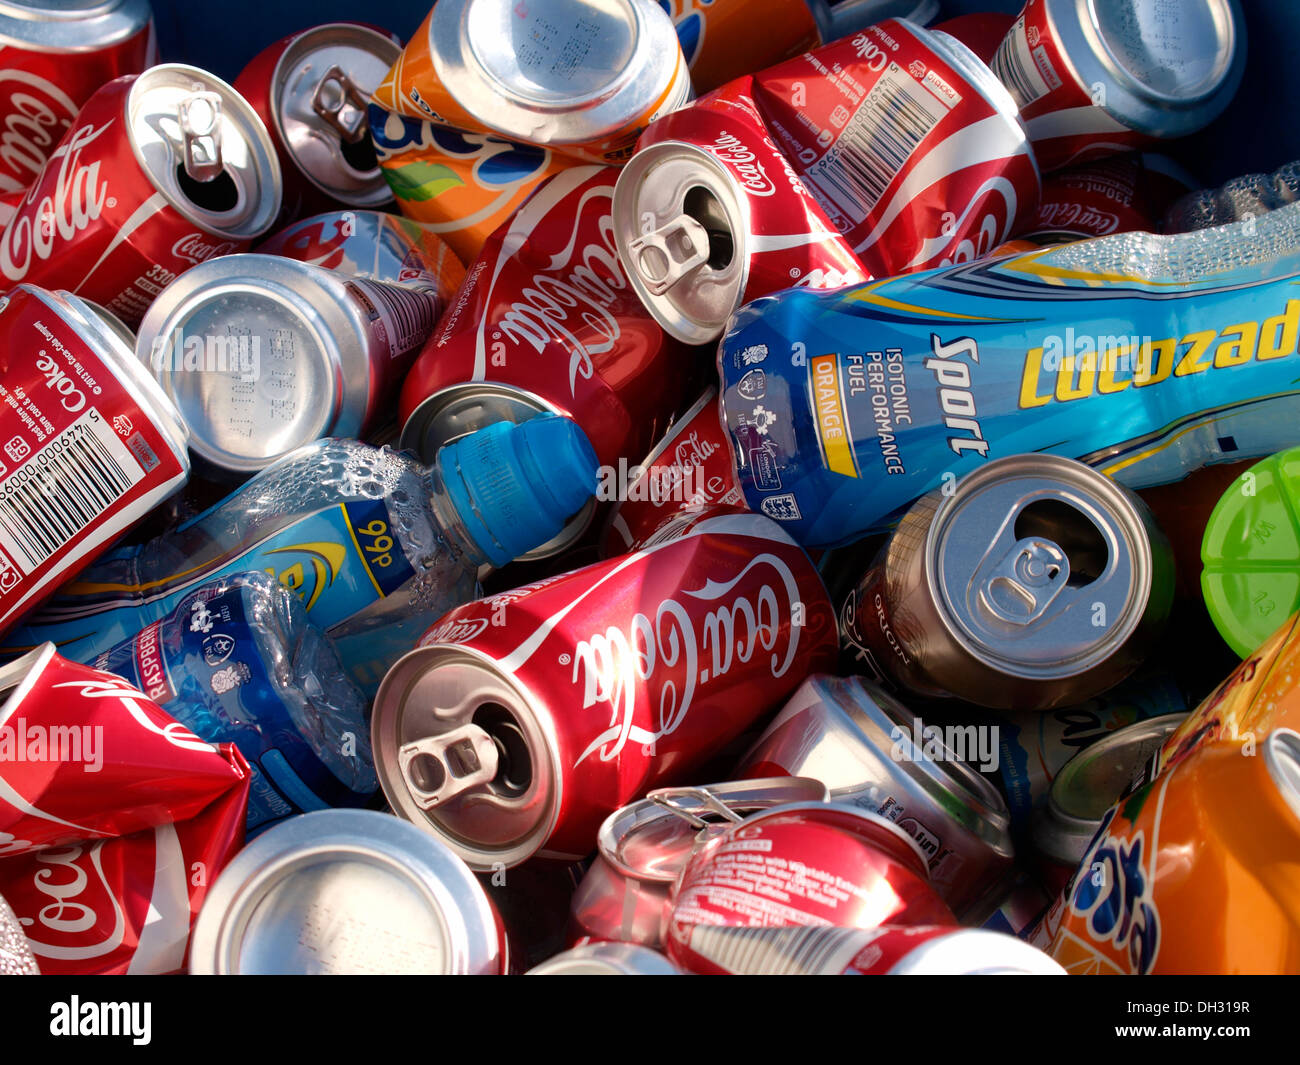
895 118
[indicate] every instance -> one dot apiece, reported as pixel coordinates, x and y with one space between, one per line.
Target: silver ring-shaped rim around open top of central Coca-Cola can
530 713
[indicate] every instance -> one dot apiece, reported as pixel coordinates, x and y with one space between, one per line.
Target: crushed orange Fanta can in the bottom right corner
1198 871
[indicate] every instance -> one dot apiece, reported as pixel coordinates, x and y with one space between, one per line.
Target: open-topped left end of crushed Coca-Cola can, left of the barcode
710 215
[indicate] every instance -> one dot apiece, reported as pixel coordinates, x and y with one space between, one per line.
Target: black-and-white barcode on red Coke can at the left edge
63 490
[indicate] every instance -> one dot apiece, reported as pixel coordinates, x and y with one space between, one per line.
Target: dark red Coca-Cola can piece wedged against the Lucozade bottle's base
690 467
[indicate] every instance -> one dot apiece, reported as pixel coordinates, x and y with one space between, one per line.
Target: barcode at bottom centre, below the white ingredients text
779 953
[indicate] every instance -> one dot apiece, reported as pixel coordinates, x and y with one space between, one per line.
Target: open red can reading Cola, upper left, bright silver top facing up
158 174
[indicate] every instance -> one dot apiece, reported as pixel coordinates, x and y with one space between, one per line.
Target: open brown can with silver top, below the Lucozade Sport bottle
1033 583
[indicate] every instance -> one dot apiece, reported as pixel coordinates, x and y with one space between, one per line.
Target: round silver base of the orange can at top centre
557 72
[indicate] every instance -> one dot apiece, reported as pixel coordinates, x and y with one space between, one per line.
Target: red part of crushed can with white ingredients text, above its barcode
804 864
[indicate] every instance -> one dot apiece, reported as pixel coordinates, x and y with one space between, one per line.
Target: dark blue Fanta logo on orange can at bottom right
1113 895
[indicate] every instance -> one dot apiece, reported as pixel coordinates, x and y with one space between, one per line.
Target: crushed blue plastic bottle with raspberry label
240 663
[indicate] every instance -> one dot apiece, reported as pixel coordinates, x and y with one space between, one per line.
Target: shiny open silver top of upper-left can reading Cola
206 150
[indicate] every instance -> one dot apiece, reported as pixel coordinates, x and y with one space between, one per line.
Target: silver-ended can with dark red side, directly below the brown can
873 752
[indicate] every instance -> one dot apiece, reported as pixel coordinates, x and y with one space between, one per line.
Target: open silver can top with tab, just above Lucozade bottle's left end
682 226
